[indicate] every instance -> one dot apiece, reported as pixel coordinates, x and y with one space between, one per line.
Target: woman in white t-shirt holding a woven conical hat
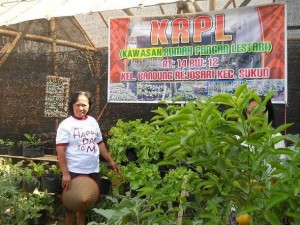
78 144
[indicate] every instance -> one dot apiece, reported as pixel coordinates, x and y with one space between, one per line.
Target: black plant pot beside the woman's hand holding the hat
51 183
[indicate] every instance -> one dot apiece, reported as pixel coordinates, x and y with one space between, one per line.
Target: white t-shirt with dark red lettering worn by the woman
81 138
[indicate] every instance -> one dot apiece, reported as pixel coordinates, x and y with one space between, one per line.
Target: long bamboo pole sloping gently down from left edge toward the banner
48 40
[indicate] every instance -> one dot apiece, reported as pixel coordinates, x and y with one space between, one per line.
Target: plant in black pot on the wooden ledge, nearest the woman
33 146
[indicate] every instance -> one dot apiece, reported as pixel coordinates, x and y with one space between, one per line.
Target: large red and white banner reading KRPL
198 55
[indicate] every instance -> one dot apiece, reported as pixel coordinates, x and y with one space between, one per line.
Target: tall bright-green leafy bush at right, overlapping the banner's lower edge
228 150
